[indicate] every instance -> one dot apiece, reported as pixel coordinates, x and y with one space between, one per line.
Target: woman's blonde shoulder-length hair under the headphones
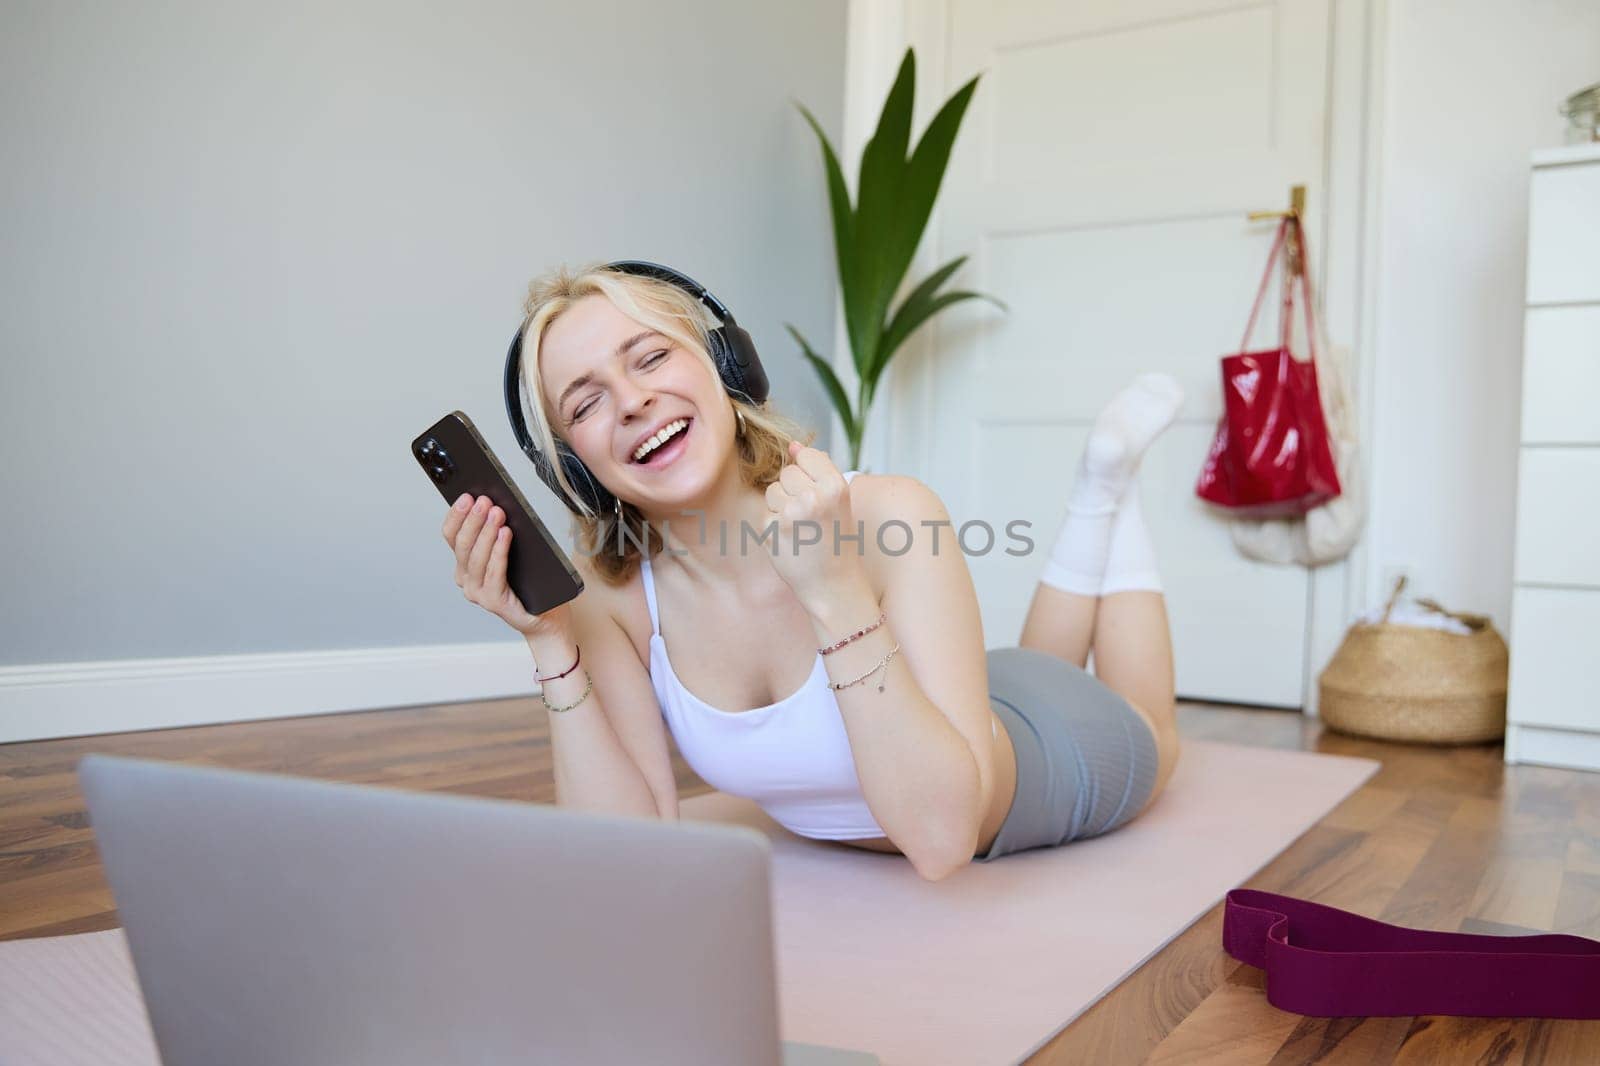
671 311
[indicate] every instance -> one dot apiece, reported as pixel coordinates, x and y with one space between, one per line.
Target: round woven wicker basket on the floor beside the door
1415 684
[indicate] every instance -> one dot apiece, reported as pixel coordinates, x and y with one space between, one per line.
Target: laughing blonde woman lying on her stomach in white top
846 691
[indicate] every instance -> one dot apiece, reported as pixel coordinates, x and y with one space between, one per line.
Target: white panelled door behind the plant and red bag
1102 185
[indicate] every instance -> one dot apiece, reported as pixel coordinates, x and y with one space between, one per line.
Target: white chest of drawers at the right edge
1554 697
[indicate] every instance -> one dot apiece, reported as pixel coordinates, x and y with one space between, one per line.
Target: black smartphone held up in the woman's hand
458 460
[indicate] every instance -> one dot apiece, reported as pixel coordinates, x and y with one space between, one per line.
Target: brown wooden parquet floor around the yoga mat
1446 840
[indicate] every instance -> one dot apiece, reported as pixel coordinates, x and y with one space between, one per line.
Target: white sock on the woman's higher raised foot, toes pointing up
1111 460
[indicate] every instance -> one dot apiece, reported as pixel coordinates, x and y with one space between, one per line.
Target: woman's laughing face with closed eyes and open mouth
610 385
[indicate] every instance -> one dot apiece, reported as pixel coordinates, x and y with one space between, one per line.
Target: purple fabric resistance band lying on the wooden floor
1334 964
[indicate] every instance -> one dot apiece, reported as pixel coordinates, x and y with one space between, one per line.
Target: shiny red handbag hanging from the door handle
1271 455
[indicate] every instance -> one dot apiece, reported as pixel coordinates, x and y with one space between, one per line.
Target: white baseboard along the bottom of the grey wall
124 695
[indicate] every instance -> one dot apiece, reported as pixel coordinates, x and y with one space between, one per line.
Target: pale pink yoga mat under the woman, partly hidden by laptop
982 968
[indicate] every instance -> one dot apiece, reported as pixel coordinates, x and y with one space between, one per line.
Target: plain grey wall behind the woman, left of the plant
249 252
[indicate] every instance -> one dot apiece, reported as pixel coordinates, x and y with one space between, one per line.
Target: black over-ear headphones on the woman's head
732 351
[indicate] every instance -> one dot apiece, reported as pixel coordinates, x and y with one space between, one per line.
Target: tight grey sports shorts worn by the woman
1086 761
